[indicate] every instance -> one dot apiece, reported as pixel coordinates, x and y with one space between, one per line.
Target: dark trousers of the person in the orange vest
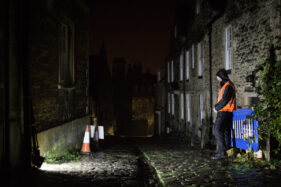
222 131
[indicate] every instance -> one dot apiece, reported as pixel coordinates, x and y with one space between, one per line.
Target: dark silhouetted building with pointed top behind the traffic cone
101 92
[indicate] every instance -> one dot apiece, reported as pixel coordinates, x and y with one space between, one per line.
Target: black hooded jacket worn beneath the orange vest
228 92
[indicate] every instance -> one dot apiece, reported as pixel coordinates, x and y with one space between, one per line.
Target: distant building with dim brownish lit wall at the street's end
142 101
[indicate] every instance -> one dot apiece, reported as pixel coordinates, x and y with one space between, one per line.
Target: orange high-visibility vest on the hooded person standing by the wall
231 105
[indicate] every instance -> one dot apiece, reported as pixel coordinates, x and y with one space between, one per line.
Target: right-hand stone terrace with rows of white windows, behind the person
235 35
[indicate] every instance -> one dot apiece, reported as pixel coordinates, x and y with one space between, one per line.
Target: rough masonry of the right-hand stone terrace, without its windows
254 28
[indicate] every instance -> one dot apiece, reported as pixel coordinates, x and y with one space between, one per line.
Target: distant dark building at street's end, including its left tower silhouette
134 100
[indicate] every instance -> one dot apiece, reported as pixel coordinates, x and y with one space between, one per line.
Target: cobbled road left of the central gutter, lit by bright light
115 165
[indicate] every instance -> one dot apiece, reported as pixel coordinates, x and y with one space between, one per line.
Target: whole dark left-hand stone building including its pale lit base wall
44 57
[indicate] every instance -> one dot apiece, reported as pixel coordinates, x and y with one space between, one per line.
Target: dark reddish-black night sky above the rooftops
139 30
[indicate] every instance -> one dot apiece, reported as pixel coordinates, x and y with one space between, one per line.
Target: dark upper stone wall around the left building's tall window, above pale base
52 105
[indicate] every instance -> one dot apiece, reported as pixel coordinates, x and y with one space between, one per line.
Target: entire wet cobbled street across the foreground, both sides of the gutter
151 162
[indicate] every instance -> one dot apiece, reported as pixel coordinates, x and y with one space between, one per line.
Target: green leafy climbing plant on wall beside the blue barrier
268 110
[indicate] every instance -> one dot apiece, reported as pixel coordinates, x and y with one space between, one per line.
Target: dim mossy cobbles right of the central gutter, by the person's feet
177 165
